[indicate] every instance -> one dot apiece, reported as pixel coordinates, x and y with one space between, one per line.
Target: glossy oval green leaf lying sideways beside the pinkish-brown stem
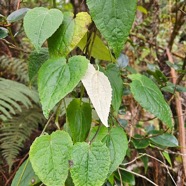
166 140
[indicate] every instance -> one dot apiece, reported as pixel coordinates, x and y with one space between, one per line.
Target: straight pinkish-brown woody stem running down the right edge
179 111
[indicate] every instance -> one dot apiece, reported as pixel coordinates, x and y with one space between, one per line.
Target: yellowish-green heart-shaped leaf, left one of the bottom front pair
49 155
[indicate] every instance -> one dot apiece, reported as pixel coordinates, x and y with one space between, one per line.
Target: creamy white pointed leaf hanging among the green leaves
100 92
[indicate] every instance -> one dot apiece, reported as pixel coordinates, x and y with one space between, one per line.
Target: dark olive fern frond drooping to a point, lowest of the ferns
14 132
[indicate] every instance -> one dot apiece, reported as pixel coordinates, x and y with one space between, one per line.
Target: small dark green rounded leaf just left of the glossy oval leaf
140 142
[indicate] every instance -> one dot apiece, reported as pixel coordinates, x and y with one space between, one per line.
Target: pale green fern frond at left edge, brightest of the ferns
13 95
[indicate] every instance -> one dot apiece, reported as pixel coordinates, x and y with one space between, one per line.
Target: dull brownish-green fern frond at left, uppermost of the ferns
18 68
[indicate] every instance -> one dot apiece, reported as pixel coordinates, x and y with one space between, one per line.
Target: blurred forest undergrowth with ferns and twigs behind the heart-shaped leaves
156 47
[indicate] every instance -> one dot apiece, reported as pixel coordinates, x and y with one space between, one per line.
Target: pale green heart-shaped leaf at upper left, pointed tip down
40 23
